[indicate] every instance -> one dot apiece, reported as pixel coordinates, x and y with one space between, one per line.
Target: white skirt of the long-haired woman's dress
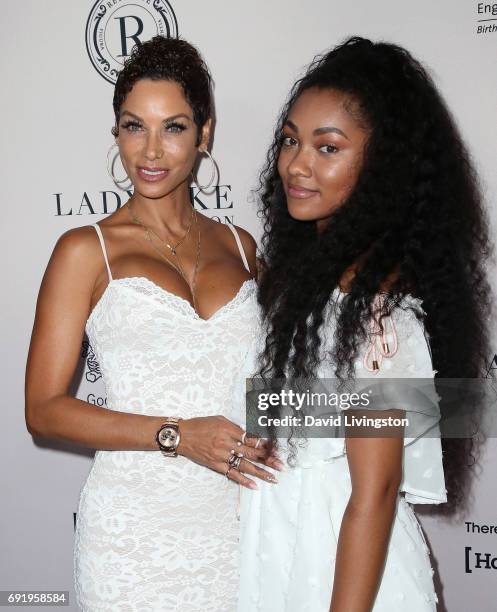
289 536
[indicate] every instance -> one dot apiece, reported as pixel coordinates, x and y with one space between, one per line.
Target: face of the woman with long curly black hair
321 153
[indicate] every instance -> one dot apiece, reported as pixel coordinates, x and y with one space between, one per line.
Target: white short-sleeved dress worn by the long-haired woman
289 530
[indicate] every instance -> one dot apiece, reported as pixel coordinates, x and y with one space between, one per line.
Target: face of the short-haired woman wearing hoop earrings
158 137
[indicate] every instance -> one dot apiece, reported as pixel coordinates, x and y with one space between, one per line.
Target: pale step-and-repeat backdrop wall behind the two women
58 61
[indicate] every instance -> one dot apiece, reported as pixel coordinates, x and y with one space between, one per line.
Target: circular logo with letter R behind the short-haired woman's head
114 27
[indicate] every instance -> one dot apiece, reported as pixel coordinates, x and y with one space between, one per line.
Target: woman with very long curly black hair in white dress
374 242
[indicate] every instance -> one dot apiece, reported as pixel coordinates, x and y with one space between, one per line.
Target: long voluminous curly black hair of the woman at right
415 211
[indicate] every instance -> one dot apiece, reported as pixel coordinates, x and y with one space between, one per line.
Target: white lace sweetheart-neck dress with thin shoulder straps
156 533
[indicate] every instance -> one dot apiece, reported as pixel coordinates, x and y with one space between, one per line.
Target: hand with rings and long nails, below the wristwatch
209 441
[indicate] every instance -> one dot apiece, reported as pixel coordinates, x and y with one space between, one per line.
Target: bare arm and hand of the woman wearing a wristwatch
63 305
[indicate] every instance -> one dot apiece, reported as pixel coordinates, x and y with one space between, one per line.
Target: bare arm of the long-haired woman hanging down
376 470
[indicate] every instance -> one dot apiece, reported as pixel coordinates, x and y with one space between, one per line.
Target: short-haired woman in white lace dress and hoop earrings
167 298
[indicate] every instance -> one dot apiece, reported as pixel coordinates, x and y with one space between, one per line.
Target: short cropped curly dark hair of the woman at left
171 59
